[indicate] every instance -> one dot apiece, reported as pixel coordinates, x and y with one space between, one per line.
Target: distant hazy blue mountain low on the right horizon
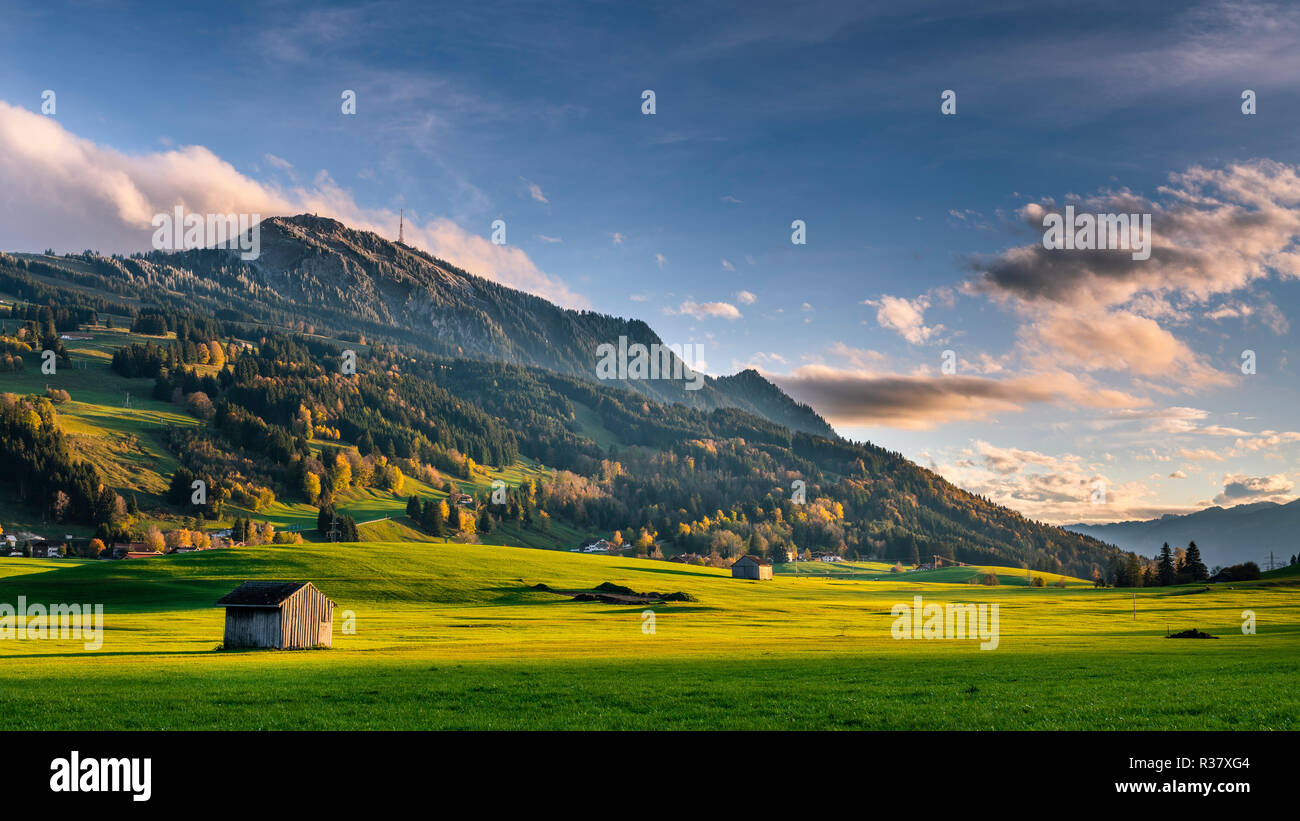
1227 536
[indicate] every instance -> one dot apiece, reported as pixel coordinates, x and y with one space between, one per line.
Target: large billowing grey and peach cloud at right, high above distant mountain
1215 232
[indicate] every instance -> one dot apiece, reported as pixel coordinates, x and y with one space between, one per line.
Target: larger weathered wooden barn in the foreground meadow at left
279 615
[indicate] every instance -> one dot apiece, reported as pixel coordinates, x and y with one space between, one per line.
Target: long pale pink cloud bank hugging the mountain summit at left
67 193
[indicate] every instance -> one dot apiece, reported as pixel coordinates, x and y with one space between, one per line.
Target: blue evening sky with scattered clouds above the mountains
1086 386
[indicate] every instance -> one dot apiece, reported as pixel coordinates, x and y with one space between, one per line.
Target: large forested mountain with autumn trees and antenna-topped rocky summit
458 381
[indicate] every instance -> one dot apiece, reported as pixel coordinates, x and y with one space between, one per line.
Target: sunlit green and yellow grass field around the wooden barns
452 636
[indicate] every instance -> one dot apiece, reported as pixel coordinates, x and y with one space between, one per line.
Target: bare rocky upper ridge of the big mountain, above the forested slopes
320 270
